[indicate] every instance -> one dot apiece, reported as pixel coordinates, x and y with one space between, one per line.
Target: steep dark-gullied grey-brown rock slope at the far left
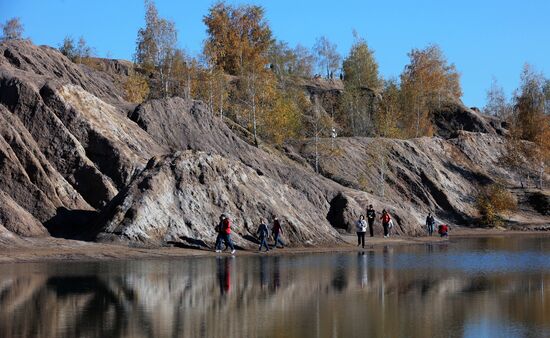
64 145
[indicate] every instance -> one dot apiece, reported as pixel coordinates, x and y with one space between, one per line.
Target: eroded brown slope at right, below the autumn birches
421 174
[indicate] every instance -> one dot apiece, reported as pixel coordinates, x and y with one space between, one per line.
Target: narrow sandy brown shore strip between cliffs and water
51 249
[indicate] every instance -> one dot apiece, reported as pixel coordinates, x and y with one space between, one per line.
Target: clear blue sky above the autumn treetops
483 38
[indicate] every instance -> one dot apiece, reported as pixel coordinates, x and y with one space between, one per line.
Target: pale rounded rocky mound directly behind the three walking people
180 197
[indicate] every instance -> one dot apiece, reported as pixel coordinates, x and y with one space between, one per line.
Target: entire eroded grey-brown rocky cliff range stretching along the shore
78 161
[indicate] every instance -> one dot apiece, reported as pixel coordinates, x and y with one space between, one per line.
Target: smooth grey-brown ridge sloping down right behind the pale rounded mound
181 124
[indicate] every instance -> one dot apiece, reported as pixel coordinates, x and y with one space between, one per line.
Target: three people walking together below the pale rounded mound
223 230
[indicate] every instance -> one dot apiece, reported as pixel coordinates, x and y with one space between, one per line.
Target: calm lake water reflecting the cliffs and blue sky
486 287
